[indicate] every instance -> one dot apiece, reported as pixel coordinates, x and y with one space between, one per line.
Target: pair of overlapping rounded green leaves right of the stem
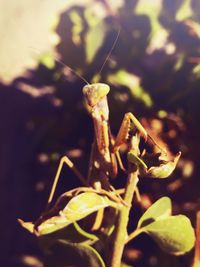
174 234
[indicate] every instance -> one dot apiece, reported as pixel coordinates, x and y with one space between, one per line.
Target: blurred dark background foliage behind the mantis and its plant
153 71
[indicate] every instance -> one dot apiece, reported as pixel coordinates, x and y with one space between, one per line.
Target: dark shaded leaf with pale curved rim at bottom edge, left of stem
63 254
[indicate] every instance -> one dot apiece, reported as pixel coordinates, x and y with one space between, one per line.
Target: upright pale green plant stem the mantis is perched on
120 234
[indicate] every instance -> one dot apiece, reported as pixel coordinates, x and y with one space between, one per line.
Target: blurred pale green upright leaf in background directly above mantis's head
93 40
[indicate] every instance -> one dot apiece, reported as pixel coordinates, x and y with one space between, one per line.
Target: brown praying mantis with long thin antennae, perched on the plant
105 155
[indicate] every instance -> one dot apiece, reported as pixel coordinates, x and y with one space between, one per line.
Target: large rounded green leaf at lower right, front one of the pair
174 234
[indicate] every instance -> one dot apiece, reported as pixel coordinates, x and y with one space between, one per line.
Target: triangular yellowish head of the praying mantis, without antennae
95 92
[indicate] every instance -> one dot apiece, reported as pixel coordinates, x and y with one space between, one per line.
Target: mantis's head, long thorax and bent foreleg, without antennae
108 148
